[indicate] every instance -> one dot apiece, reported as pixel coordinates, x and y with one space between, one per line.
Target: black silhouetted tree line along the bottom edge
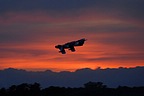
89 89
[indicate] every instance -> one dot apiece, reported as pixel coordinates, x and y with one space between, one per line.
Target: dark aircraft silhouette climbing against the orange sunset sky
70 45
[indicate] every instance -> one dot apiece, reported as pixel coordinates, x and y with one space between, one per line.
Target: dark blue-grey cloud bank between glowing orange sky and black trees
110 77
